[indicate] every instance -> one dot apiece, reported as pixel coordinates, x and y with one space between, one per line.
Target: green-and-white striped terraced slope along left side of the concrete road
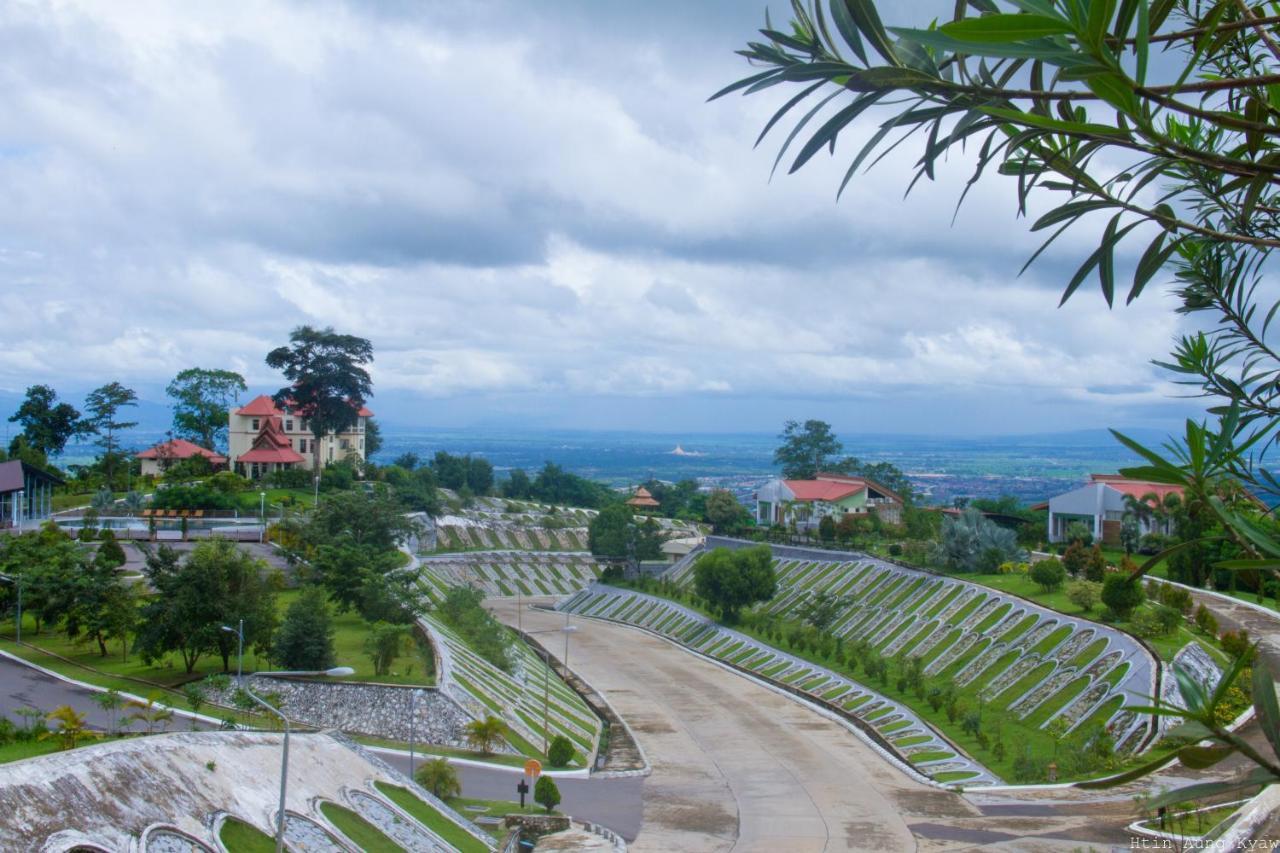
518 699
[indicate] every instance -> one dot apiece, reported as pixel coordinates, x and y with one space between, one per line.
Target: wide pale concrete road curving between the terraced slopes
740 768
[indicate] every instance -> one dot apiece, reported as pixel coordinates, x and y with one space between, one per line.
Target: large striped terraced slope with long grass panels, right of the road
1039 664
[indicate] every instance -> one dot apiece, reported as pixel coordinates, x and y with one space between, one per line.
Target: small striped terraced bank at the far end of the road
508 573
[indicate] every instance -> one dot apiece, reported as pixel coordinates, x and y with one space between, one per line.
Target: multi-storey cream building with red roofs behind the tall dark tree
266 439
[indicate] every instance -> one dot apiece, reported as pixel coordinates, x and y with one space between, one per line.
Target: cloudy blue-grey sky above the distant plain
532 212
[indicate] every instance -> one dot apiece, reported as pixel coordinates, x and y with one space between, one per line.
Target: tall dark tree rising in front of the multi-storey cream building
328 382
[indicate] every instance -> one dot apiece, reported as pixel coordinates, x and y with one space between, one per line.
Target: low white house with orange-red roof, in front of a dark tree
807 503
